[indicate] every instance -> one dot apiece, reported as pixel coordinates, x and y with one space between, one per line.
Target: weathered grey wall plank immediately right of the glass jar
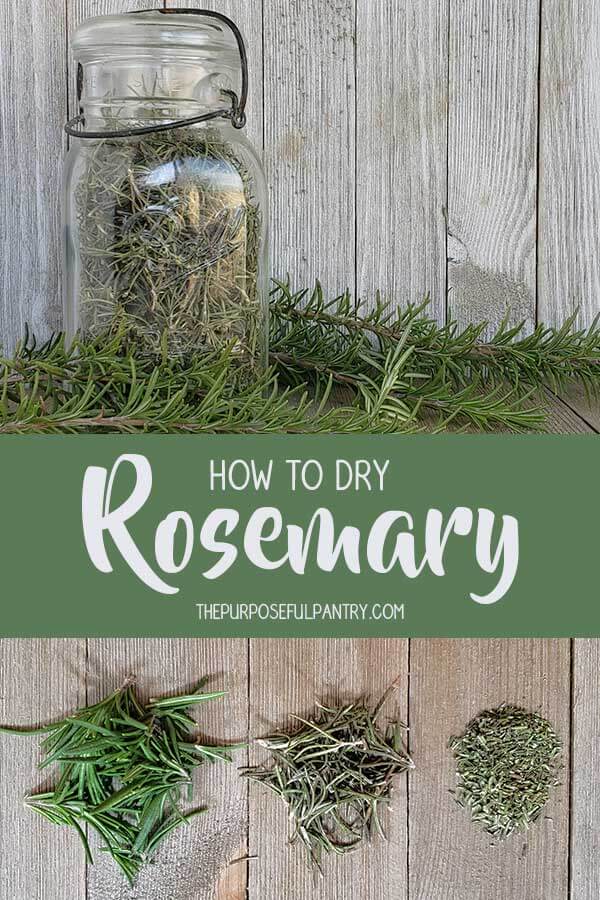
310 139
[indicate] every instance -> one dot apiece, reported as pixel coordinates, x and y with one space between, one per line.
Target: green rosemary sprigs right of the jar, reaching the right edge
450 372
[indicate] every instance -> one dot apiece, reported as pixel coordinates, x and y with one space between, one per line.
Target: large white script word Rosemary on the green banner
385 545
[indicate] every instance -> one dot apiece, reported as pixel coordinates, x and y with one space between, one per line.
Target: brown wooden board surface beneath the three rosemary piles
432 851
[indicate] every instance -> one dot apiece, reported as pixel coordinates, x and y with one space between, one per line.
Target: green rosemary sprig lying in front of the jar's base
110 384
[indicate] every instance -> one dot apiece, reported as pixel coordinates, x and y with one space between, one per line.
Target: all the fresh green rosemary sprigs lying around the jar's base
397 366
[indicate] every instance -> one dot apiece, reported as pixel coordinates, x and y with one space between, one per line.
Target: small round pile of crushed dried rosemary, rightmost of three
507 763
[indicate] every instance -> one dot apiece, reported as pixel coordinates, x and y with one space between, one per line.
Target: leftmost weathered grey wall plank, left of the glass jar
32 113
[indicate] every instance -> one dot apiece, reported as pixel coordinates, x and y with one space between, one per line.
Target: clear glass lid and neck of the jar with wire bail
177 65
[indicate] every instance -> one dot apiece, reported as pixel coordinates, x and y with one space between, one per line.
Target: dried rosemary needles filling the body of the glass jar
168 231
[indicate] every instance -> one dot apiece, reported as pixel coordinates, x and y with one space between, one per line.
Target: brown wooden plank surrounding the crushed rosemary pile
450 682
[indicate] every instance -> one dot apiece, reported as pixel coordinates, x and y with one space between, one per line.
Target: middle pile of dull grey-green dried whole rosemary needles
335 773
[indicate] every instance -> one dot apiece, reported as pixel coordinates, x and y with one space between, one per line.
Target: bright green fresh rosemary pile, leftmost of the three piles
123 766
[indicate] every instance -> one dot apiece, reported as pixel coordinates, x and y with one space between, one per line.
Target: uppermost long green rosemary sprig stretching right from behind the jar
342 334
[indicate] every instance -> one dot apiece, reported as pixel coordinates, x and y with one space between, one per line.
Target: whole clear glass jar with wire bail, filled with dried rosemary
165 201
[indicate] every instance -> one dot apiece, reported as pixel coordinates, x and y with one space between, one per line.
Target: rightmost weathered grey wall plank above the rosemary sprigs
569 188
